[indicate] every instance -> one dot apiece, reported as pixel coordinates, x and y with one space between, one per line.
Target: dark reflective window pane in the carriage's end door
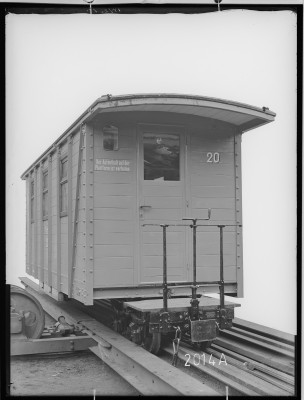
161 157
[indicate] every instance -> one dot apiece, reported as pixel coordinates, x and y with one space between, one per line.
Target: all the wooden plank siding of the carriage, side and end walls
101 243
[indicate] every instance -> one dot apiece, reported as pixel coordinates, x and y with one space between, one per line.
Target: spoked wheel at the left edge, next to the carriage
27 305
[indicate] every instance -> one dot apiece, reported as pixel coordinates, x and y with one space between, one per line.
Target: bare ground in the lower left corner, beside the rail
72 374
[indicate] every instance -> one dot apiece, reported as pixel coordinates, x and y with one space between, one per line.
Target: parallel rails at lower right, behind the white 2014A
251 359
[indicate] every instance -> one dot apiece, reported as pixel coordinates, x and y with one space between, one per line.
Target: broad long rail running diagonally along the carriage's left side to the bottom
145 372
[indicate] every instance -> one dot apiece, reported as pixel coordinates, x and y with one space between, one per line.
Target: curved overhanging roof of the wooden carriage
243 116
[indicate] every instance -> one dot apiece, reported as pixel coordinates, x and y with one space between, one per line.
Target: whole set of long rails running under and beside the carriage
250 359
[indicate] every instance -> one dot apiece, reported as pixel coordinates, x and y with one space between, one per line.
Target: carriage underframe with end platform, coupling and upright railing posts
197 319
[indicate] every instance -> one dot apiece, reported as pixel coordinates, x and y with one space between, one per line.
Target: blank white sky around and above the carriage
57 65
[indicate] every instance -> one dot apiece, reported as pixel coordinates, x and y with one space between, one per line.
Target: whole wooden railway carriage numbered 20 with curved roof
98 198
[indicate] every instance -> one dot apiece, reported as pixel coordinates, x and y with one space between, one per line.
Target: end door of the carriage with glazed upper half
162 199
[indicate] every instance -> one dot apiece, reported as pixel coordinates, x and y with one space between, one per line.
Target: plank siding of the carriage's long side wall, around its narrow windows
50 240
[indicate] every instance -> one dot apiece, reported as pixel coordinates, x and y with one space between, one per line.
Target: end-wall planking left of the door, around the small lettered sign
115 210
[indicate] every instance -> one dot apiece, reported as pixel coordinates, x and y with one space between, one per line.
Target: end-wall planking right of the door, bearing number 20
212 186
